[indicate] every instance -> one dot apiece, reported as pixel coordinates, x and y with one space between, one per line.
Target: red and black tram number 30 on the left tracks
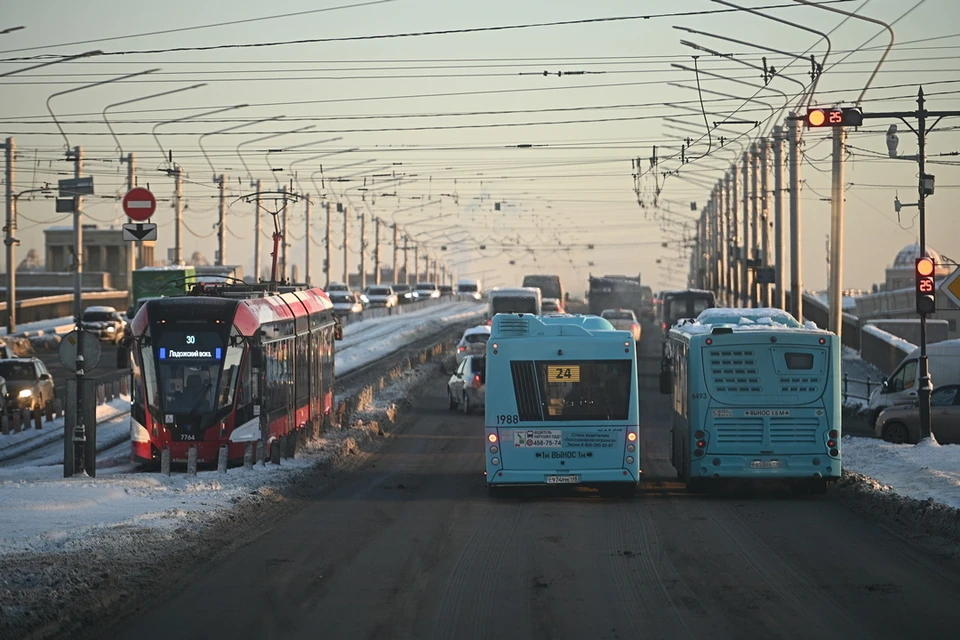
230 364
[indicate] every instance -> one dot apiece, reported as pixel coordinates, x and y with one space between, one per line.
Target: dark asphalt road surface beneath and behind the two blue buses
407 544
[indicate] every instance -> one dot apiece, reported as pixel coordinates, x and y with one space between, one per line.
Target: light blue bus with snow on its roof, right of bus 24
756 395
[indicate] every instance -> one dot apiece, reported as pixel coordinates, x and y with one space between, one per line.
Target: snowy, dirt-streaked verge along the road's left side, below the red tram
92 547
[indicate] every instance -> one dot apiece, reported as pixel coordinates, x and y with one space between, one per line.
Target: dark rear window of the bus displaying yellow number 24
584 389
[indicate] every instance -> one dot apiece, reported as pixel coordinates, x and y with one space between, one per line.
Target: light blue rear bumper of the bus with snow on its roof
771 467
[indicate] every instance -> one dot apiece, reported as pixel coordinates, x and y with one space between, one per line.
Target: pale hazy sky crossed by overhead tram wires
525 140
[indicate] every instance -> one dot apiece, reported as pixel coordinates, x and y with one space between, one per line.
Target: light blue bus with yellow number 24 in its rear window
562 404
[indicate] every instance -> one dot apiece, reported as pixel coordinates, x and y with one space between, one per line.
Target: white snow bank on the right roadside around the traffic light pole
925 471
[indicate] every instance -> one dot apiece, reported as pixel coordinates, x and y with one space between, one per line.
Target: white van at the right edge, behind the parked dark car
943 362
